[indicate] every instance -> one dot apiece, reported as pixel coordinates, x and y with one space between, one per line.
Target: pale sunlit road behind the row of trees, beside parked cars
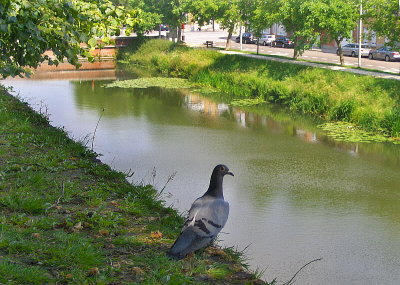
197 38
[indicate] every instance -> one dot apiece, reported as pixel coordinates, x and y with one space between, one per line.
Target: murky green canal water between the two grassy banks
296 195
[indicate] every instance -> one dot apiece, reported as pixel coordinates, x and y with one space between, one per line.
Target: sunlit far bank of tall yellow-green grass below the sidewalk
371 103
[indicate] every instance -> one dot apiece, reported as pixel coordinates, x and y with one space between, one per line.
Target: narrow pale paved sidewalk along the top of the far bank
319 65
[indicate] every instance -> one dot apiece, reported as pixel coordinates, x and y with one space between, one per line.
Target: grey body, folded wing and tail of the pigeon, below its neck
207 217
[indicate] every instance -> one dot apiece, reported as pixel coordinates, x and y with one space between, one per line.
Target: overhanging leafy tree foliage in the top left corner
29 28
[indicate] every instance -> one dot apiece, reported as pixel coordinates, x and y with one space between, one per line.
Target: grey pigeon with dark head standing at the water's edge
207 216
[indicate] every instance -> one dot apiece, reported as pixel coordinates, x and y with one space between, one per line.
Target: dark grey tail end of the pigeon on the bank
188 241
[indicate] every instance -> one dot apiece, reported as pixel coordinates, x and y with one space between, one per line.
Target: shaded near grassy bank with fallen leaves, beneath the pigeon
66 218
